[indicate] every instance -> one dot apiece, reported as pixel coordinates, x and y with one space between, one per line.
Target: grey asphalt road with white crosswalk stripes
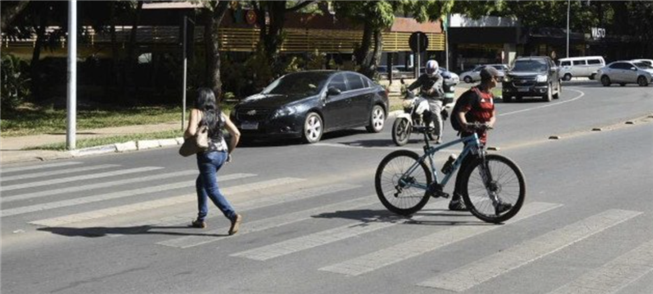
313 224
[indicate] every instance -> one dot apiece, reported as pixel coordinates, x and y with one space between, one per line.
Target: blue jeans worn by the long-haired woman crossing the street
209 164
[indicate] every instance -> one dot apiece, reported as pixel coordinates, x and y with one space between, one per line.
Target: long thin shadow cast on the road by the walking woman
95 232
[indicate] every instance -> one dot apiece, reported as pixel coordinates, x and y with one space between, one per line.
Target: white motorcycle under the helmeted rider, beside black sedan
414 109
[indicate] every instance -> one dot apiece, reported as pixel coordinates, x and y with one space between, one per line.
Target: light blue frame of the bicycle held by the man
472 146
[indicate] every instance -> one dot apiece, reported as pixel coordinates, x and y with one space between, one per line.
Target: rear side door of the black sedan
361 99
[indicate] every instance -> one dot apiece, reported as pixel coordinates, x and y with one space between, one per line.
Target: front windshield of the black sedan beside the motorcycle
304 84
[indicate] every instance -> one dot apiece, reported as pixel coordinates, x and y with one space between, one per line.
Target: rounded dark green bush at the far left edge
14 88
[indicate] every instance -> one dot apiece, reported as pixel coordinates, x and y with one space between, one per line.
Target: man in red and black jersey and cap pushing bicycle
476 105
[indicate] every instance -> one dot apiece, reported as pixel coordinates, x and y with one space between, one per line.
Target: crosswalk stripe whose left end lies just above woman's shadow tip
118 210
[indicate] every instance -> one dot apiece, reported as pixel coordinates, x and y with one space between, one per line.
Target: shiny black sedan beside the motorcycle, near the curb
310 103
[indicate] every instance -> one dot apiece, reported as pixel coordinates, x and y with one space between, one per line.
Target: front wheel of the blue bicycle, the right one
506 182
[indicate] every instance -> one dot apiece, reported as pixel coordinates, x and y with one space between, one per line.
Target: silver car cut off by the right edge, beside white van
626 72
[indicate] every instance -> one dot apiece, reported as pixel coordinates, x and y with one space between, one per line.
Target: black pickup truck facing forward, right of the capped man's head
532 76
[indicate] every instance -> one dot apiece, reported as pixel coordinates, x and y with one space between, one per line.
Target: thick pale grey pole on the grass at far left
71 115
